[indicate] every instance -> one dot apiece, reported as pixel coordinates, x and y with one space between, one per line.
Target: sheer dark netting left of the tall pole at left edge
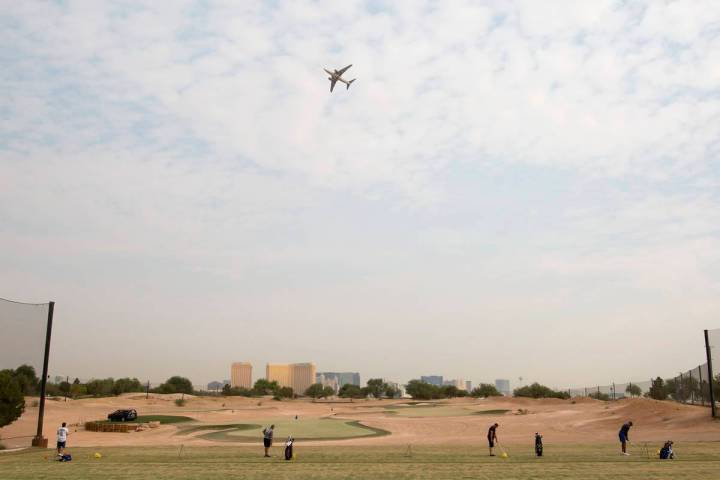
22 349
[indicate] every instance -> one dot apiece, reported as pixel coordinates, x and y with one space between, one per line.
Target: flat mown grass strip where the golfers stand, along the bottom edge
695 461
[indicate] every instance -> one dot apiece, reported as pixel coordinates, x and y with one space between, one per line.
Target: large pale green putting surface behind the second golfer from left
301 429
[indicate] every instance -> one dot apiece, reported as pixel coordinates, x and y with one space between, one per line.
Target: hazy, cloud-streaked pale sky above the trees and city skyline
509 188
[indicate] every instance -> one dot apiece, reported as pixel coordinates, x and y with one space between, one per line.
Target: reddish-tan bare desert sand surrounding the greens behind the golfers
580 420
